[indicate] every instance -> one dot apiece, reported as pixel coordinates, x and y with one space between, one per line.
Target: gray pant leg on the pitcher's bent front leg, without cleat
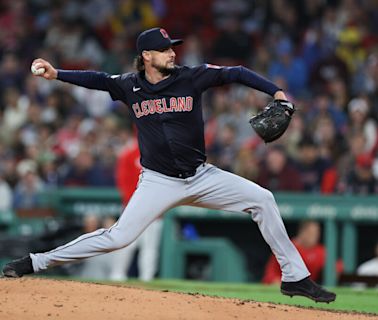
222 190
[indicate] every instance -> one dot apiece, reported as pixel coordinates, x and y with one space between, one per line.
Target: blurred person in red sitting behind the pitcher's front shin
313 253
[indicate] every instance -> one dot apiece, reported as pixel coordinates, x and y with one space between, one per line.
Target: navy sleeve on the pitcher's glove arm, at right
208 75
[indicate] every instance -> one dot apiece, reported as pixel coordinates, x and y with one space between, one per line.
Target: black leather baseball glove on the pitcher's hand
272 122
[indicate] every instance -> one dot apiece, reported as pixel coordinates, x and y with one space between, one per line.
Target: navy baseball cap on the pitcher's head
155 39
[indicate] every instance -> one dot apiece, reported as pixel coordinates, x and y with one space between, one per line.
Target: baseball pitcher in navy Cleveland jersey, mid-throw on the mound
165 103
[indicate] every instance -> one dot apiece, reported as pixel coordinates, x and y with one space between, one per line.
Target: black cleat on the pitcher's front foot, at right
307 288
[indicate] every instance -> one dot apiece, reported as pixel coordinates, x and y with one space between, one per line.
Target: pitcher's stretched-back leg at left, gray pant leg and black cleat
155 195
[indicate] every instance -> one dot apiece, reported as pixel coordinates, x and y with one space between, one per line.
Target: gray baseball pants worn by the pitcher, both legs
210 187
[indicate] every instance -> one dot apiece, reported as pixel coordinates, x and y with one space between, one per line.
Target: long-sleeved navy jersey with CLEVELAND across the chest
168 115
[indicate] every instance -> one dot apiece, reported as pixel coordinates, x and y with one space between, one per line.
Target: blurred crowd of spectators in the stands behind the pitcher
324 54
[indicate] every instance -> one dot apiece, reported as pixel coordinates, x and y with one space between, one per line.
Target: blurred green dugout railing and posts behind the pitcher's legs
340 214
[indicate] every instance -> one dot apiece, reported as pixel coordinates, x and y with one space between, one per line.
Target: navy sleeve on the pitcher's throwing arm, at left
114 84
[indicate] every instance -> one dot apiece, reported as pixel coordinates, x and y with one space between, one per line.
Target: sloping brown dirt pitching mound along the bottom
34 298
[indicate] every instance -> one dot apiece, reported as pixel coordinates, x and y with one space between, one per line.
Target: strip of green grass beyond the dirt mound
348 299
